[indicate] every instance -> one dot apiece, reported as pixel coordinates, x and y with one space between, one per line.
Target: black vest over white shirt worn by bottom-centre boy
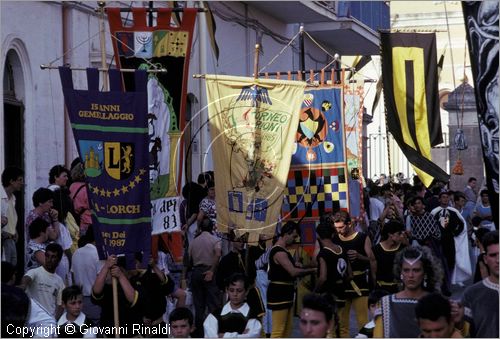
232 322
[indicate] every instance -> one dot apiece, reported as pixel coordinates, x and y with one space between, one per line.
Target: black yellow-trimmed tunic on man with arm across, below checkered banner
360 268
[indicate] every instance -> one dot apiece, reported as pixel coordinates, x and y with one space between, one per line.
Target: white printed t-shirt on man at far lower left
46 288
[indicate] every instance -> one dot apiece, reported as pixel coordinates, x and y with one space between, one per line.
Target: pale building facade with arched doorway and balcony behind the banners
36 130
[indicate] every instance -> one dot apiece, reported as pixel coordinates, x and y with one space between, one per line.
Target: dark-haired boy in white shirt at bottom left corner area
73 323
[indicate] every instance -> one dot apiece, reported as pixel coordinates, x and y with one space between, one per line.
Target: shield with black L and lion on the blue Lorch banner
119 159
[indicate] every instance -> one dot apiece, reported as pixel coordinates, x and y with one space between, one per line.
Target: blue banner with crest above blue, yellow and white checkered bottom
317 180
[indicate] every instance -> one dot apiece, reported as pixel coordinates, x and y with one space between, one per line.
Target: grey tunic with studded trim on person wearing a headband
397 318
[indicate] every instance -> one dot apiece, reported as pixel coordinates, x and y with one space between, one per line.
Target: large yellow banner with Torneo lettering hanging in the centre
253 125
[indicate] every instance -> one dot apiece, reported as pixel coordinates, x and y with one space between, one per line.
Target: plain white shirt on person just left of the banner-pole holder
85 267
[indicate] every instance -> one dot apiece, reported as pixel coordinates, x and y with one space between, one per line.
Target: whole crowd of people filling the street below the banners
393 268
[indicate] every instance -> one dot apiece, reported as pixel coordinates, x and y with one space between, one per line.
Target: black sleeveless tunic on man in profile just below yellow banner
281 289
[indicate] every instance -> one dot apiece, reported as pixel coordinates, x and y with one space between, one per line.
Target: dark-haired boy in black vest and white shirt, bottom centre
235 318
